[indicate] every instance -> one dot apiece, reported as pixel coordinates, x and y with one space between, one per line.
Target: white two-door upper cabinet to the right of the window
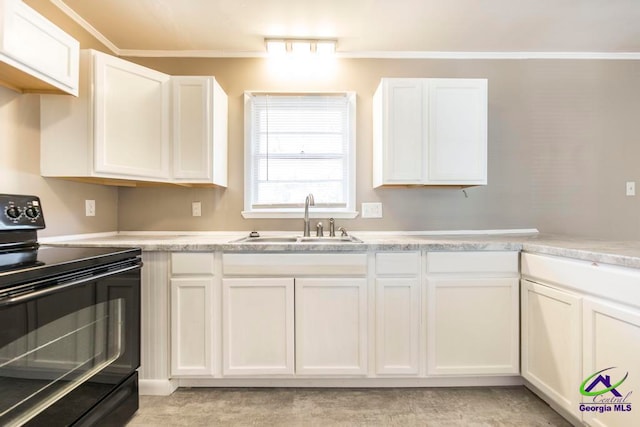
430 132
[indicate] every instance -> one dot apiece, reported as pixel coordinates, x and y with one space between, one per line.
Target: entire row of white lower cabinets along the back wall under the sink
344 317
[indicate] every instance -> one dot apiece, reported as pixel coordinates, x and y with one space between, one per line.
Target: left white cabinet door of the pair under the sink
258 325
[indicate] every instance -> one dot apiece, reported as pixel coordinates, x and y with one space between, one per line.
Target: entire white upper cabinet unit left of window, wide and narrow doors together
118 131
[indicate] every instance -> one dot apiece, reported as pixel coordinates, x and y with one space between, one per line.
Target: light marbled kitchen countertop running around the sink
622 253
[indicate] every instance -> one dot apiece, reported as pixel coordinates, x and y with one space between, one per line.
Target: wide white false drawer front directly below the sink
294 264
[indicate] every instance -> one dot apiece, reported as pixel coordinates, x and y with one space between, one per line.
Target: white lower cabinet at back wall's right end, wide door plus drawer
472 313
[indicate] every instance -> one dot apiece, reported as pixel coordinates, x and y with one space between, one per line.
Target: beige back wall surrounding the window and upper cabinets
563 139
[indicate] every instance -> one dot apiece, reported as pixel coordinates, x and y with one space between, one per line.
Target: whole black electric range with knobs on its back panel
69 326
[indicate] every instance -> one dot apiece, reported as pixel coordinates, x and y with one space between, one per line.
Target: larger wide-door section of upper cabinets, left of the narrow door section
118 128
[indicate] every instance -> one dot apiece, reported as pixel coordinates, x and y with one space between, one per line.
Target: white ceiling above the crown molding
365 28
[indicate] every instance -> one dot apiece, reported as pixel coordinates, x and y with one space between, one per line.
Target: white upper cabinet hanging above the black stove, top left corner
35 55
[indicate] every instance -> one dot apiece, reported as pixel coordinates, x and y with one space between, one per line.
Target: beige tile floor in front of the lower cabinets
476 406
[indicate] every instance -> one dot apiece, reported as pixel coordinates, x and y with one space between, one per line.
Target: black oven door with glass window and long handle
66 345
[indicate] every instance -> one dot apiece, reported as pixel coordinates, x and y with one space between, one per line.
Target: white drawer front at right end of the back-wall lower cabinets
473 262
